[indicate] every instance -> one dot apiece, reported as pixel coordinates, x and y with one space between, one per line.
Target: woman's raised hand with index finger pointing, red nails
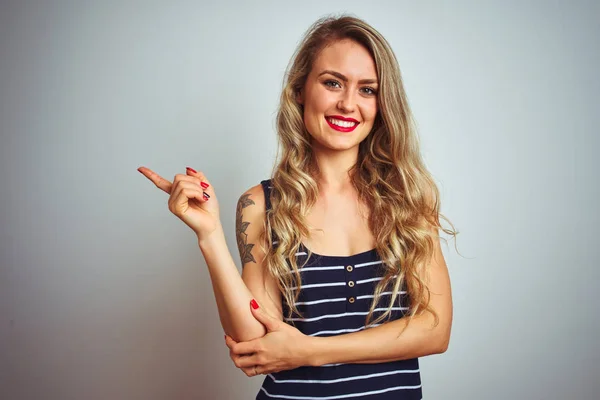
187 200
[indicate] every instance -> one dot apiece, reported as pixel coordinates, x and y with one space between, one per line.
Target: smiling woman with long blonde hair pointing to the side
343 283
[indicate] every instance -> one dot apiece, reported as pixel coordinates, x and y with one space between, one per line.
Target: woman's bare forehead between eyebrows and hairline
347 57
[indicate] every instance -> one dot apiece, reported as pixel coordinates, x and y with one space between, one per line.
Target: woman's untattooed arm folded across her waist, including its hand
284 347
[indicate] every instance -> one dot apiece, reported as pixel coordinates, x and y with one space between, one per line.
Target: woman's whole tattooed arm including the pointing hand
197 206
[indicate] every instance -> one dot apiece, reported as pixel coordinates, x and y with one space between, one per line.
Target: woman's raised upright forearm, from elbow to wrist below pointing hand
231 294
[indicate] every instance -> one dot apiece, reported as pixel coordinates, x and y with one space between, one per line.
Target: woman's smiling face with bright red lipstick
340 96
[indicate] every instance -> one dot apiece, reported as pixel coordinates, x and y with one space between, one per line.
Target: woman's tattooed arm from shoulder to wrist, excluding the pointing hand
232 291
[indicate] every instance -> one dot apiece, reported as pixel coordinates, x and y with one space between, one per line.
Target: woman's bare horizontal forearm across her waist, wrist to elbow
382 343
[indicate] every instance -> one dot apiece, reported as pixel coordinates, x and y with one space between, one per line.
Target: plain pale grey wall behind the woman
105 295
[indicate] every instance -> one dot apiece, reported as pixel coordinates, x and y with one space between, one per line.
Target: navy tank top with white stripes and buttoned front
334 299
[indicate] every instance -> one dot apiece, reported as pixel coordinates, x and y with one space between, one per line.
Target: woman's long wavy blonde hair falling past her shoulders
389 176
